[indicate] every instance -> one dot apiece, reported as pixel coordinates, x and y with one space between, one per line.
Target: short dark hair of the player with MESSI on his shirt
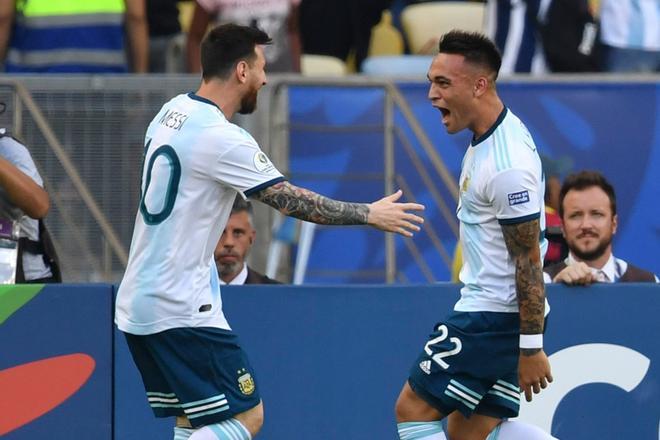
226 45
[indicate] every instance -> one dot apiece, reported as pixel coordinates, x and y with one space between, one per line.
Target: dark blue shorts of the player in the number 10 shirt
201 373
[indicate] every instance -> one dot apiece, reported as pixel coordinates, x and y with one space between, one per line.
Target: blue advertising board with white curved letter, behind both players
330 361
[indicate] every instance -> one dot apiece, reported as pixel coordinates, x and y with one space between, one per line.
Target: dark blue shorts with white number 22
470 364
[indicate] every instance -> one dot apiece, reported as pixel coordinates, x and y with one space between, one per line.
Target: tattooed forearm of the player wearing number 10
312 207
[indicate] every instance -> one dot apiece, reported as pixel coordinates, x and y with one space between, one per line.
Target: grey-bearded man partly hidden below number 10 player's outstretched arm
234 246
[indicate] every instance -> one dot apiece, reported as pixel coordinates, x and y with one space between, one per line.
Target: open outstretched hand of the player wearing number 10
388 215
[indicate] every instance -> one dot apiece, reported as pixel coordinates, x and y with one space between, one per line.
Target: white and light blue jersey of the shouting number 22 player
501 183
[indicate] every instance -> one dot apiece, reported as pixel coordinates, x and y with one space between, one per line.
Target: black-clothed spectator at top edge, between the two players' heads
339 28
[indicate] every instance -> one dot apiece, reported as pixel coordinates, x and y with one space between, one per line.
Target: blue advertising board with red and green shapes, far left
56 362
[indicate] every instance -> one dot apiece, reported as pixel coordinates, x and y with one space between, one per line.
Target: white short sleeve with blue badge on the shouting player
516 196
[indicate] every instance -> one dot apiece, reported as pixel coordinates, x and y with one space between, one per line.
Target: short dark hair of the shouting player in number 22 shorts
475 47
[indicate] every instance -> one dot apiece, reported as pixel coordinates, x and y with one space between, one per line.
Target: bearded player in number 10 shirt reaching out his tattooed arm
169 304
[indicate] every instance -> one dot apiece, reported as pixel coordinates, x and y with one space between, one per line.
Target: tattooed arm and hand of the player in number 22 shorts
522 242
